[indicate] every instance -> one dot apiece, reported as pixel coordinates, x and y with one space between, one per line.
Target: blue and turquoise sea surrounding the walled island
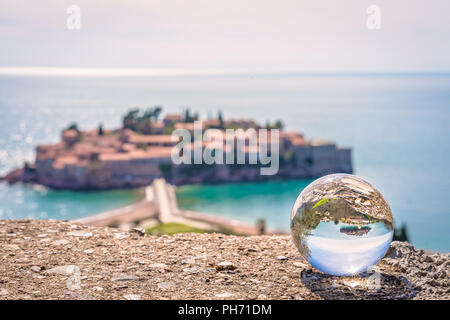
398 126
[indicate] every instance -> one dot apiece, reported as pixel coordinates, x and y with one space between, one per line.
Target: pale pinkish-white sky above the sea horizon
253 35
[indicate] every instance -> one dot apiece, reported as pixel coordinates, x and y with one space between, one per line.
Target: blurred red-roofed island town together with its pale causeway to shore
139 155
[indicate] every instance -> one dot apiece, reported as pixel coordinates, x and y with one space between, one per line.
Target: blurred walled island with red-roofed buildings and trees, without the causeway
139 152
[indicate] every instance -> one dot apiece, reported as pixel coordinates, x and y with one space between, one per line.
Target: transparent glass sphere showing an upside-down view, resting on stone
341 224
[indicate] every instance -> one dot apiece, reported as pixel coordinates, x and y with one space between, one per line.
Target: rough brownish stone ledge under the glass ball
66 260
